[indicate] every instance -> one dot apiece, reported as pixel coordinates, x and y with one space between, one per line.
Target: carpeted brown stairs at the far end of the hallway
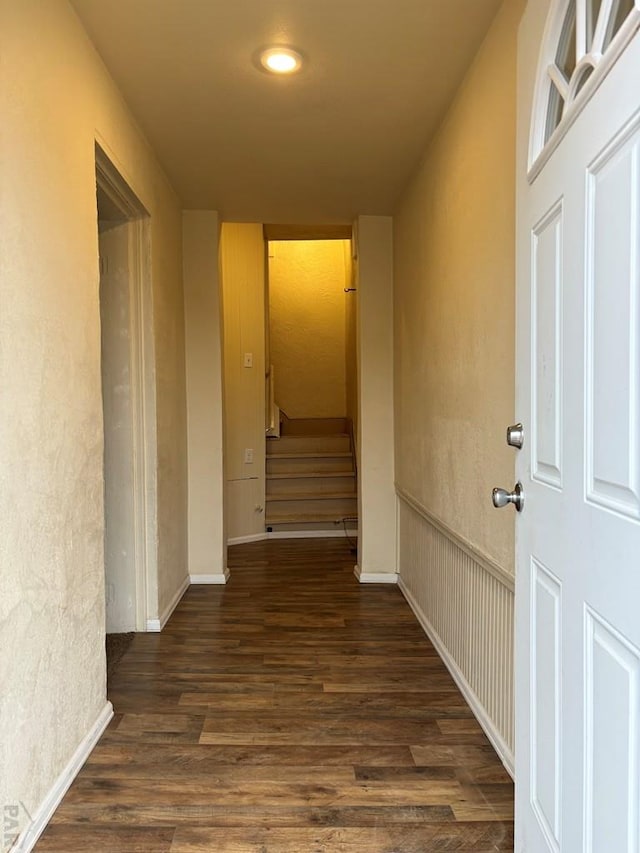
311 477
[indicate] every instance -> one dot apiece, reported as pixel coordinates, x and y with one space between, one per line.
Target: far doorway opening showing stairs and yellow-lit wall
312 399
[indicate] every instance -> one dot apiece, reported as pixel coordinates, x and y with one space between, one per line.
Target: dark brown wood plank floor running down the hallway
293 711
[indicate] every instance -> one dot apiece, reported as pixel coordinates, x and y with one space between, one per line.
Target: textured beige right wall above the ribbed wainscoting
454 306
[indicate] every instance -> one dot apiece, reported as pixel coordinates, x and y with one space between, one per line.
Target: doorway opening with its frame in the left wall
128 404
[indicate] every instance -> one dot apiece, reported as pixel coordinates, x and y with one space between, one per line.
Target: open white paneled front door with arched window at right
578 537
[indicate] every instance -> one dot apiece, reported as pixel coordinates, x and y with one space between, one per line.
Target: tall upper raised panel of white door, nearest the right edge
613 397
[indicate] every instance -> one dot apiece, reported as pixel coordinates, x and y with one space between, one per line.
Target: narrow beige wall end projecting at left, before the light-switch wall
207 541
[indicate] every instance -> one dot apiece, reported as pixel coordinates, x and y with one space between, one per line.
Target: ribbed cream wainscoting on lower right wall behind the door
465 604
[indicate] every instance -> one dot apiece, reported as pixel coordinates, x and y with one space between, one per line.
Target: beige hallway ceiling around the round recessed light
340 138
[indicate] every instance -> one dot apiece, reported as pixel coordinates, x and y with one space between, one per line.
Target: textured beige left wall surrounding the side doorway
55 96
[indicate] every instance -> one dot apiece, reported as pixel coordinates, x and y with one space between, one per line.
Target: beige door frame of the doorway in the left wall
143 403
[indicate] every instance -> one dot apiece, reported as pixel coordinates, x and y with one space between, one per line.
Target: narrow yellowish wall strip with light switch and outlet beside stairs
242 257
